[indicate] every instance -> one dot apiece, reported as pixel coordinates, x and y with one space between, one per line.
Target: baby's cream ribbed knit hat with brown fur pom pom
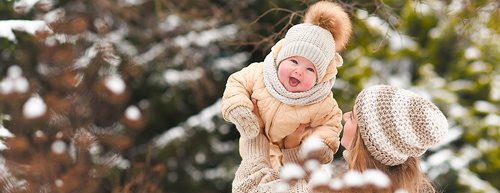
325 31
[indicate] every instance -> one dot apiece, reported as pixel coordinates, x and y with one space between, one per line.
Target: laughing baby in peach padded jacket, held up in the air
292 86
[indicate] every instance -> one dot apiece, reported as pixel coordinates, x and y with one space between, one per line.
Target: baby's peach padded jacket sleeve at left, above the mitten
239 90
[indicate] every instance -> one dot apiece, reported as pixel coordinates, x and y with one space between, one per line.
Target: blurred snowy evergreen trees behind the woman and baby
124 95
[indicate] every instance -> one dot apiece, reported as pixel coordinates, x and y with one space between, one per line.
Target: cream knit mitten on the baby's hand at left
246 122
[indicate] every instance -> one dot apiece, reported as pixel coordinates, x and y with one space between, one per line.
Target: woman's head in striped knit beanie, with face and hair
387 130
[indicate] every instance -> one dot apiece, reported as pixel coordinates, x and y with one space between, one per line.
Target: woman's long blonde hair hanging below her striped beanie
406 176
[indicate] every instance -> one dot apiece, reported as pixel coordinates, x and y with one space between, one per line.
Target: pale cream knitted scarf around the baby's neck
317 93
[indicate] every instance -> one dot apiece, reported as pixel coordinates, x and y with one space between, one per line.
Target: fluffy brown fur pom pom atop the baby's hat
332 17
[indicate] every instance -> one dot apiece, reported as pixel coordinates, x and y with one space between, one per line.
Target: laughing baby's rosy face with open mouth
297 74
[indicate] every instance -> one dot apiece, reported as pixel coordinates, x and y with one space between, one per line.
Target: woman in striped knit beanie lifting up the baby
388 130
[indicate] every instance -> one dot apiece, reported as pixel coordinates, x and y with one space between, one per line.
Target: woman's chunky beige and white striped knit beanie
396 124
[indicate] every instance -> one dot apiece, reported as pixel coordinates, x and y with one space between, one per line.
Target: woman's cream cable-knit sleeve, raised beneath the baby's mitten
255 173
